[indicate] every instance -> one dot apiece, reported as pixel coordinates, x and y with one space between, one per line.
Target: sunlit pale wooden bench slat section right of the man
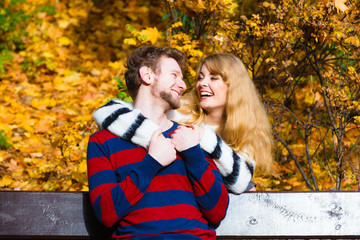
293 214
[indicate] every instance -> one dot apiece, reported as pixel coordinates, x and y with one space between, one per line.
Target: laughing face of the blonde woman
211 90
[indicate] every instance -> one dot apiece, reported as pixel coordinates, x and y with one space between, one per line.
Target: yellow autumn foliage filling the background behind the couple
69 60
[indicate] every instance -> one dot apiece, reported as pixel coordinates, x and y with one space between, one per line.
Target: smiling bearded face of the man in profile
169 82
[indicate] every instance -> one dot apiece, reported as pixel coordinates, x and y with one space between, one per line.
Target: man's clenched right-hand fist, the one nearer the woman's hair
186 137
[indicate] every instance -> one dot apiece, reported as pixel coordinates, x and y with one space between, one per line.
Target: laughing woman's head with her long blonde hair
226 99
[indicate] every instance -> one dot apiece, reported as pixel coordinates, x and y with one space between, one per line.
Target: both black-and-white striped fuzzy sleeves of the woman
121 119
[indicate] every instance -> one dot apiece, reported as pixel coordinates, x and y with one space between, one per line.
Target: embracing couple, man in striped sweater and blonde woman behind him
174 185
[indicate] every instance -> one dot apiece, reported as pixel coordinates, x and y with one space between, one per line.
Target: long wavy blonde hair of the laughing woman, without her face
244 125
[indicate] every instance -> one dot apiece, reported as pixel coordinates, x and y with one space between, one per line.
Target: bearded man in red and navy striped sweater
170 191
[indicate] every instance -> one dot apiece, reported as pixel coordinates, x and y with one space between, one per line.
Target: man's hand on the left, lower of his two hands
161 149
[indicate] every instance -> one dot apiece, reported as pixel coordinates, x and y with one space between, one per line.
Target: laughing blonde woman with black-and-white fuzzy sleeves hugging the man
224 101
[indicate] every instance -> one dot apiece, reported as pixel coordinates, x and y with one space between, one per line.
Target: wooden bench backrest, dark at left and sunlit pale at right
68 215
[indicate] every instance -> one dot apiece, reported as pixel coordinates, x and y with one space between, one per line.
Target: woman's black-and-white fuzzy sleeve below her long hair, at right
236 171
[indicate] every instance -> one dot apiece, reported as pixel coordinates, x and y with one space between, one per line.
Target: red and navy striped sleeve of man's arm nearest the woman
207 184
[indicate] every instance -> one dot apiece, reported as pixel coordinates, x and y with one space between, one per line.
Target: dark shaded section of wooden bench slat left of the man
63 214
